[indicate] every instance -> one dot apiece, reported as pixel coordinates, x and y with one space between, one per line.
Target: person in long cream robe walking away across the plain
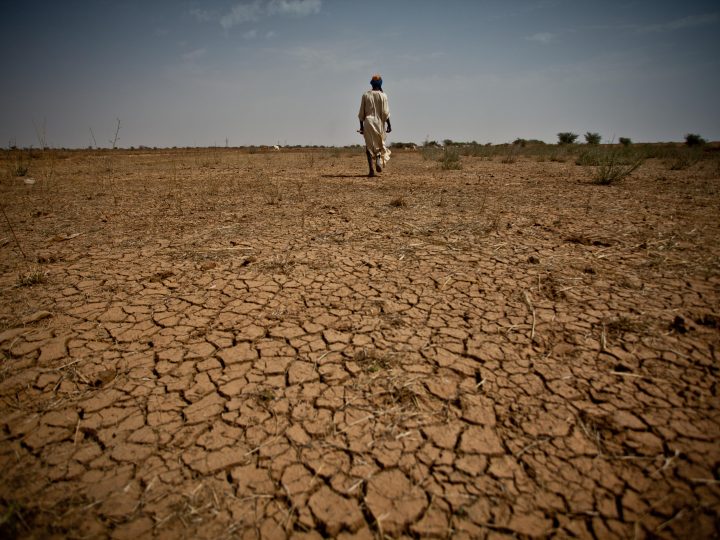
374 114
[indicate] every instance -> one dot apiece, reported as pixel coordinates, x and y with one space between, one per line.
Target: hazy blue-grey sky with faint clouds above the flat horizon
198 73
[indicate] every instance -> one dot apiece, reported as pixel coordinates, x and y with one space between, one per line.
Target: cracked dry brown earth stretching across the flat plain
223 344
